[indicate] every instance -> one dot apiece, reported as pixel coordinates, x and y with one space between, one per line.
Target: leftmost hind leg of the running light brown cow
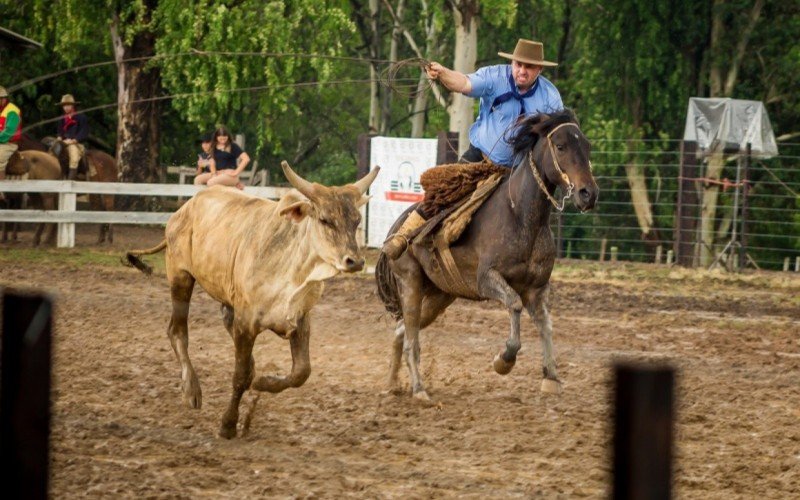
181 286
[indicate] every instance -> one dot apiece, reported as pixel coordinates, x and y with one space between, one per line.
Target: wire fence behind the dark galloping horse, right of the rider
767 218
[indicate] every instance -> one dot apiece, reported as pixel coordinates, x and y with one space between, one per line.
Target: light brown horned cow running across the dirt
265 262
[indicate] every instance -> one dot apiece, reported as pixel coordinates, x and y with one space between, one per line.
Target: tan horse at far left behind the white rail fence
33 165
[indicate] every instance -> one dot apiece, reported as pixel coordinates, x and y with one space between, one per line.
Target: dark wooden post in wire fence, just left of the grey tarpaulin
686 209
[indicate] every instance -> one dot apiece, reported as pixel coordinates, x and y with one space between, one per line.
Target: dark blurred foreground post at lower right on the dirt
643 432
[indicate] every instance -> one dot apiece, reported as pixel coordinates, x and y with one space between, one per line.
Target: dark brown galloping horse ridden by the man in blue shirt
506 253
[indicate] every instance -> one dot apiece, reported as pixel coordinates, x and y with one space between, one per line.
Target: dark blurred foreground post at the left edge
25 394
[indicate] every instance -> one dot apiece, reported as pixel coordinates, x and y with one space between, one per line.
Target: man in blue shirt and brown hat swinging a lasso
508 93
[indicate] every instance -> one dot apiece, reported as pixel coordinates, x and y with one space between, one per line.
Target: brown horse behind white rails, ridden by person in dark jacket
97 166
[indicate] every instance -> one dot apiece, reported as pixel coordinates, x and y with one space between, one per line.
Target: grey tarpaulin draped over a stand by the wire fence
727 125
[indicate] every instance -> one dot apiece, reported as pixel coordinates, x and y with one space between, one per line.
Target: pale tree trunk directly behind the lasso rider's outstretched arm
466 50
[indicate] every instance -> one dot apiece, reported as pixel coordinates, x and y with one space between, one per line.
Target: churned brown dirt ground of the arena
119 428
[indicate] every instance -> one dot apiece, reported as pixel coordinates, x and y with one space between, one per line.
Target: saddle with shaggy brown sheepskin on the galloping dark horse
466 188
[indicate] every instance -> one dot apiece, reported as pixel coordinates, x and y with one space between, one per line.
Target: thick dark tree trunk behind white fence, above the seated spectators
138 126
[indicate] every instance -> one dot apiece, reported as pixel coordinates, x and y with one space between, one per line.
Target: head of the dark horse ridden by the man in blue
557 145
